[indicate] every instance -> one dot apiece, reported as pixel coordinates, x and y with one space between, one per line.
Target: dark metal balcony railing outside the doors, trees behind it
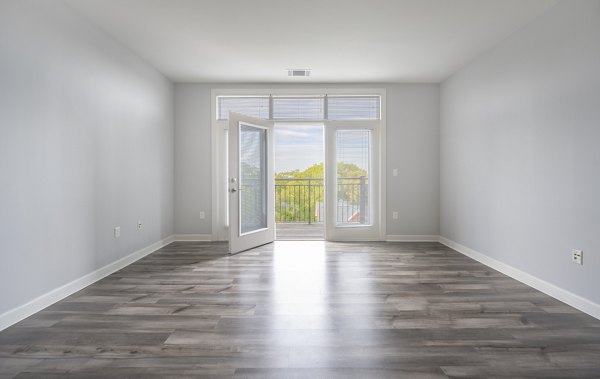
302 200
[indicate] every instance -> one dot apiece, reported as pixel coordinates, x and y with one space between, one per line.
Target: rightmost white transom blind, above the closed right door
353 107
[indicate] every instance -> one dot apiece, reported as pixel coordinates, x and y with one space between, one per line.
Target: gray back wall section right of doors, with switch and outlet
413 147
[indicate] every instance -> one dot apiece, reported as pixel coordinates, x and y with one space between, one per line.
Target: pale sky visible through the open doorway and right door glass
298 147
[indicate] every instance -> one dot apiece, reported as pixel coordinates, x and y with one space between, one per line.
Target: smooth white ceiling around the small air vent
340 40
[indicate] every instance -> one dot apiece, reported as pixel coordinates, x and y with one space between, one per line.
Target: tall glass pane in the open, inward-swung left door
253 178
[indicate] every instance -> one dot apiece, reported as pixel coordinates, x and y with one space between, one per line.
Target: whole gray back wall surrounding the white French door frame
412 147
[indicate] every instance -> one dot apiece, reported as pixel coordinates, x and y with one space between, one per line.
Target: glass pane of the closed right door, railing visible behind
353 163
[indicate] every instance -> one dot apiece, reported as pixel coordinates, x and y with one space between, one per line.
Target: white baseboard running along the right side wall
550 289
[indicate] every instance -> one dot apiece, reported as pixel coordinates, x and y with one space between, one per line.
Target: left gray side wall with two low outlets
86 143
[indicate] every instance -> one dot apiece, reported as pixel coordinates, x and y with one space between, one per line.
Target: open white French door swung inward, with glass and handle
251 183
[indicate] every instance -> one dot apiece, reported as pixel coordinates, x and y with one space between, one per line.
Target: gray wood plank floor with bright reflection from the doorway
304 310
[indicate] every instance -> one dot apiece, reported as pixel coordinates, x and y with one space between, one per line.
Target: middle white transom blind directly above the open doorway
298 108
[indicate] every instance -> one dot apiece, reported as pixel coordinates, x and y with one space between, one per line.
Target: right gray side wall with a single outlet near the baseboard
520 162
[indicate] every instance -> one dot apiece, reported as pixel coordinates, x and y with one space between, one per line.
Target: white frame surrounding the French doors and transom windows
219 131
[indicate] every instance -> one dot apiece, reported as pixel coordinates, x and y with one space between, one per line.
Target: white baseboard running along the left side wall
15 315
